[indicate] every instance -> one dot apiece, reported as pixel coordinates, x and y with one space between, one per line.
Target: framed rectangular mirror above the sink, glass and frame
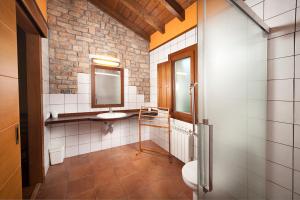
107 86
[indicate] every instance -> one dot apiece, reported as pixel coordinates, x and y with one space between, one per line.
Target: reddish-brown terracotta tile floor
116 173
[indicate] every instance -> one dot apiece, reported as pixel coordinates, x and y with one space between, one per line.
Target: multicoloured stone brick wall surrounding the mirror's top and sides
76 29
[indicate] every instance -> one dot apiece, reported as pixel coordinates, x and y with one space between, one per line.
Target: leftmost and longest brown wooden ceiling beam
137 9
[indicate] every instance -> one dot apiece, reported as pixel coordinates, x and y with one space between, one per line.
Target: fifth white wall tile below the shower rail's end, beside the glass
280 132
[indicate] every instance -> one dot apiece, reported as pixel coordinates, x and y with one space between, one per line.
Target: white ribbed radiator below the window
182 143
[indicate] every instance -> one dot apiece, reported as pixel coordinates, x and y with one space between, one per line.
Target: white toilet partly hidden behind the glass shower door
189 175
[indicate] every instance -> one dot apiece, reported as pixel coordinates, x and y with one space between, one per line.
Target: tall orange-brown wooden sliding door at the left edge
10 167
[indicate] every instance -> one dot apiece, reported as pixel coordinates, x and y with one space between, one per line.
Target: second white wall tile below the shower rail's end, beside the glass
281 68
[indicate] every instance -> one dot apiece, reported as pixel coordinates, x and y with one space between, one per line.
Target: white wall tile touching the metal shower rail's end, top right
282 24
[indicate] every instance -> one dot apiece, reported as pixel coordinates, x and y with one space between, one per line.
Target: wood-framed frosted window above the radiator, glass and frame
184 73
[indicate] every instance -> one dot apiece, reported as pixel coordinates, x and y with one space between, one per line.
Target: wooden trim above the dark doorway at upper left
35 15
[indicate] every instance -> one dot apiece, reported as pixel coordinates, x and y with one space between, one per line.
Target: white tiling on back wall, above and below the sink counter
85 137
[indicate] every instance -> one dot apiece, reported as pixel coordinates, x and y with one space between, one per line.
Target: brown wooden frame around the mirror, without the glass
93 94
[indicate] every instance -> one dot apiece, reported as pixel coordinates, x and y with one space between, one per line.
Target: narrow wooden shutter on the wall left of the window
164 85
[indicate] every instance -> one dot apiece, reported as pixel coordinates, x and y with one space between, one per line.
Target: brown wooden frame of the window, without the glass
190 51
